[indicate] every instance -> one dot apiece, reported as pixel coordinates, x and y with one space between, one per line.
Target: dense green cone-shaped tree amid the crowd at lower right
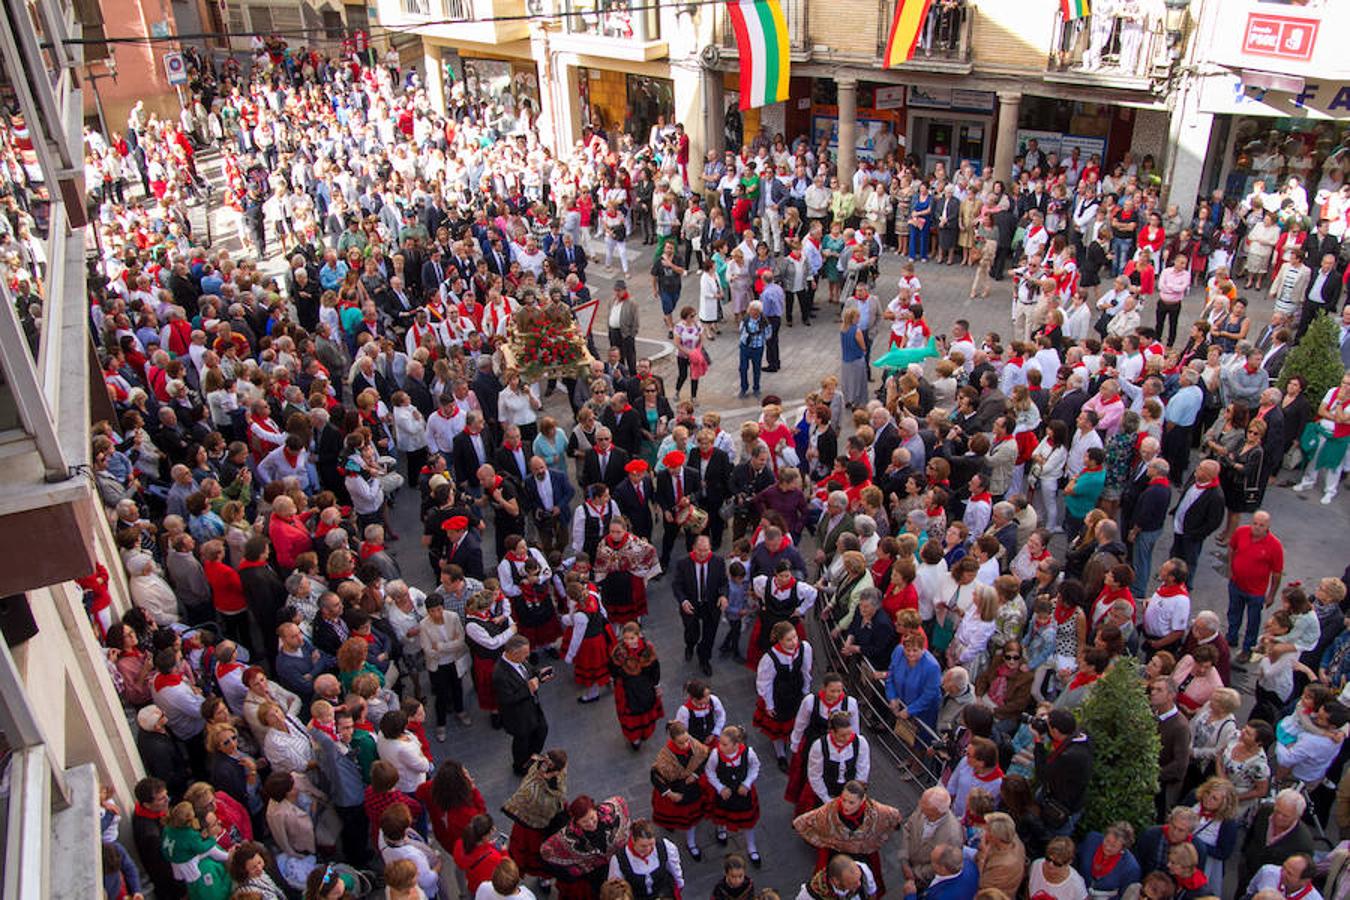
1125 750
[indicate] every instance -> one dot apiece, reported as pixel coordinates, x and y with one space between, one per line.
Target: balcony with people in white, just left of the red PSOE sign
1109 52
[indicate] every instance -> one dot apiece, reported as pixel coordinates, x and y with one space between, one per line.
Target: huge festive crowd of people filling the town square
977 544
